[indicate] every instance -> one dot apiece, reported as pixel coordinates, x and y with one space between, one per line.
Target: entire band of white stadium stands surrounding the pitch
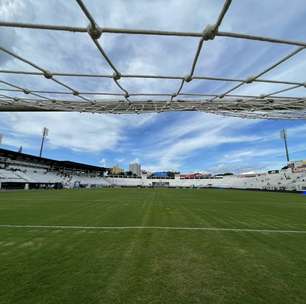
24 171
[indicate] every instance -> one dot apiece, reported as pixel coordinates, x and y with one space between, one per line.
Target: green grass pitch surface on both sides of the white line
39 265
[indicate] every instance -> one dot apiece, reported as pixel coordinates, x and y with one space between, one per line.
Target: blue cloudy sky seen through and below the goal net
182 141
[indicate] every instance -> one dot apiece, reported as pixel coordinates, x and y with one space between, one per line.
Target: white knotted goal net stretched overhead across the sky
271 105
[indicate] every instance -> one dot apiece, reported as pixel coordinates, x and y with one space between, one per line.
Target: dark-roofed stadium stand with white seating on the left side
19 170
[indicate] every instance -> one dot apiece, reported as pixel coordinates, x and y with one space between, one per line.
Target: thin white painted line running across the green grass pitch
153 228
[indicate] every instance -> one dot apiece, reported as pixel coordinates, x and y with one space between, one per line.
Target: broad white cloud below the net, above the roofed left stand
75 131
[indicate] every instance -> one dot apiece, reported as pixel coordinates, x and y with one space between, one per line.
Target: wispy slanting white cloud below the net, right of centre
179 141
